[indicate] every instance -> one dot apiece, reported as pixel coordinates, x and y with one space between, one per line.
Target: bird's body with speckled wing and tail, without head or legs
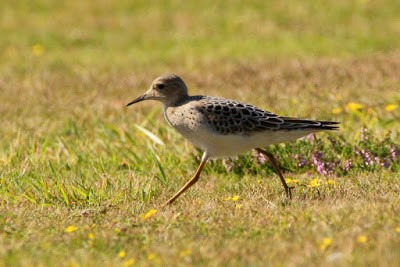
224 127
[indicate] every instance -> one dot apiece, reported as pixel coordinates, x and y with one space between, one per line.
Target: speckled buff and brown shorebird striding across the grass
225 128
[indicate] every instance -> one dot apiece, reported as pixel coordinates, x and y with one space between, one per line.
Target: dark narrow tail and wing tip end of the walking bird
297 124
